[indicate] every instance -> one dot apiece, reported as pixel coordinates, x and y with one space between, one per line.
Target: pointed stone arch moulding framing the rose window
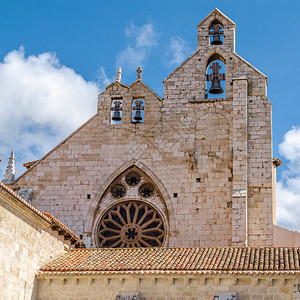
93 211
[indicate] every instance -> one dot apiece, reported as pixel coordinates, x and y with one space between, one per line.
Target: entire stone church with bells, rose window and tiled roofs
183 186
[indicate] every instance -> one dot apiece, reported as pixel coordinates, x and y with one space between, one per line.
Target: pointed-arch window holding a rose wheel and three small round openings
131 213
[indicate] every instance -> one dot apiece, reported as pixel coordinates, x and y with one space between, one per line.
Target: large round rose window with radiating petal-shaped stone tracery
131 224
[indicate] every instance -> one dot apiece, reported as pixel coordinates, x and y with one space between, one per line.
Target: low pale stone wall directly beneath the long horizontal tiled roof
169 287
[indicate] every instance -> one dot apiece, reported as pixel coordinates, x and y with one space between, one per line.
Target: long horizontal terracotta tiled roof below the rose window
215 260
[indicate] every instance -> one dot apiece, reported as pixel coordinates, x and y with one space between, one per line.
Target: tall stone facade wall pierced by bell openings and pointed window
211 159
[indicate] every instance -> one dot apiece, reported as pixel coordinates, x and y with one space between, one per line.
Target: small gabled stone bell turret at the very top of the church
216 30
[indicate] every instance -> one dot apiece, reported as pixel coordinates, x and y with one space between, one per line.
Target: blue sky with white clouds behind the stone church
71 49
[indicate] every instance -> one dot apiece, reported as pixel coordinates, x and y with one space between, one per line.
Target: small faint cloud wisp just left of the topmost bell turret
179 50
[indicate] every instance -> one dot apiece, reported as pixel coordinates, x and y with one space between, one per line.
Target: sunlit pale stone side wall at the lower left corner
25 246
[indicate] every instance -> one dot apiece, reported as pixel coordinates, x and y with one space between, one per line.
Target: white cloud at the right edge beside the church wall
288 188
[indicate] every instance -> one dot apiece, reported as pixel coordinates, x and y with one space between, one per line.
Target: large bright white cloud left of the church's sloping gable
41 103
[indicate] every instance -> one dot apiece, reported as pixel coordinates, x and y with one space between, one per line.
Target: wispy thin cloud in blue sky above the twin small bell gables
141 41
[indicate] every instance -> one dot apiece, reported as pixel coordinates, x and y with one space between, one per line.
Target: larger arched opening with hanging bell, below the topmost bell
215 77
